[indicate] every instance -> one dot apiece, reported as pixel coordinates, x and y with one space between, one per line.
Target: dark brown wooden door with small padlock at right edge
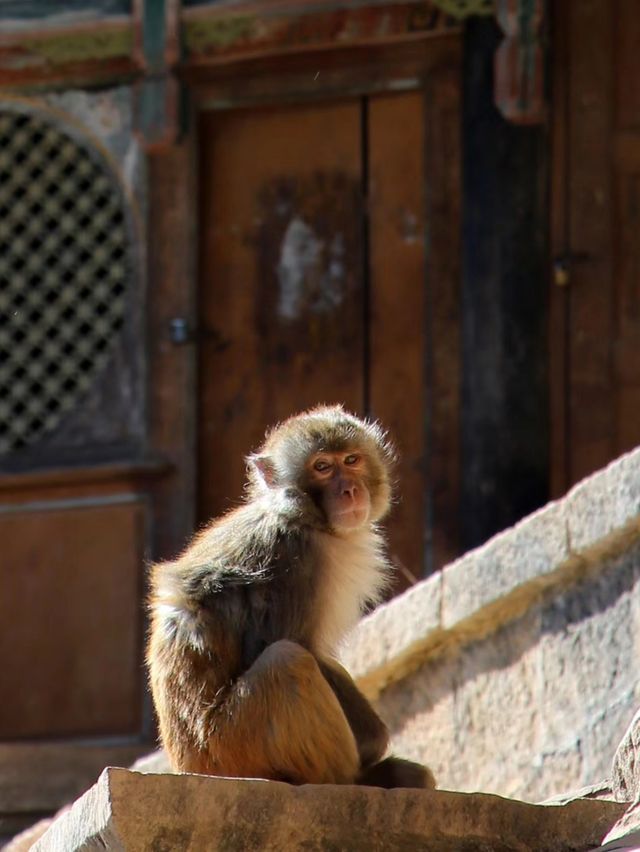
595 302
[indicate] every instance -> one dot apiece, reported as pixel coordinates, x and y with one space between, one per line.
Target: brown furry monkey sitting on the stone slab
245 624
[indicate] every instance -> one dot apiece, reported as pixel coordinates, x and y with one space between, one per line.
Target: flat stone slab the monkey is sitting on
133 811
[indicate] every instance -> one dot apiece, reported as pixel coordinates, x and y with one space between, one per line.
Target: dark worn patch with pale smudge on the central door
309 260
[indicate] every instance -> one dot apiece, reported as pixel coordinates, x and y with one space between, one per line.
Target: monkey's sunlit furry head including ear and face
341 463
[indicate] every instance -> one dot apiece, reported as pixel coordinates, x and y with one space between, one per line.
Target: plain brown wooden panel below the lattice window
71 659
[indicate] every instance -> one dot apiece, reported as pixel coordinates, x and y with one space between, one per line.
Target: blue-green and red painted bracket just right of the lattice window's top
157 48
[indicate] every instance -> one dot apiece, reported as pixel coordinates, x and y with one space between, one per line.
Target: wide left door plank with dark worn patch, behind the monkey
281 301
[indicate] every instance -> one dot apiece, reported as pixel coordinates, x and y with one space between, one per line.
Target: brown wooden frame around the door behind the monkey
432 65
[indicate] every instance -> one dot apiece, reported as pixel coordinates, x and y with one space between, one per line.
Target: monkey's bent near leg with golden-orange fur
282 720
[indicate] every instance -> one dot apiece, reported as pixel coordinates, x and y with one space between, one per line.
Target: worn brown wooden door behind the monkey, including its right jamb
313 288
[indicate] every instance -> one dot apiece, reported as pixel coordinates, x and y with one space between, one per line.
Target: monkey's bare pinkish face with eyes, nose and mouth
339 482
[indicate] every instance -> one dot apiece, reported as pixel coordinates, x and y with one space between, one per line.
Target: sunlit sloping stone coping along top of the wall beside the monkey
497 582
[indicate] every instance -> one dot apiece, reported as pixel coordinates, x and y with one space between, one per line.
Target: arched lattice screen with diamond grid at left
64 267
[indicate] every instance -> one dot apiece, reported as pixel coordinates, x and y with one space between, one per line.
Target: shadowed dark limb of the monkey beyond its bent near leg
368 728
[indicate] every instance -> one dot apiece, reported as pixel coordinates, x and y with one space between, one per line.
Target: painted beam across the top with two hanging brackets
162 35
